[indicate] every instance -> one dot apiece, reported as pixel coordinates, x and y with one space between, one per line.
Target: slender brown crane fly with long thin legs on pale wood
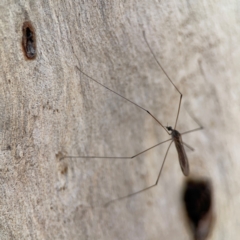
175 135
